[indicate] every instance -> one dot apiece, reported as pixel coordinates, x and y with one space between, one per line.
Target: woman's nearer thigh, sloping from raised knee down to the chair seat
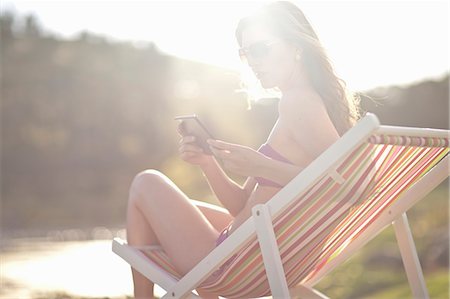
181 228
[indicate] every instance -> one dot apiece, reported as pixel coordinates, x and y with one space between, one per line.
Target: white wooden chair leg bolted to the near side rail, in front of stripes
270 252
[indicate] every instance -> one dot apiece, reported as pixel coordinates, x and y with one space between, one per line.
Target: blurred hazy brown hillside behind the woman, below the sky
79 118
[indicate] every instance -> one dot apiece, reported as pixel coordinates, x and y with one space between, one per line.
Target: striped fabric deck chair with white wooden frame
364 182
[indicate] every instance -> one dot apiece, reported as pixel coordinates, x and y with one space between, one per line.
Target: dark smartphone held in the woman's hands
191 125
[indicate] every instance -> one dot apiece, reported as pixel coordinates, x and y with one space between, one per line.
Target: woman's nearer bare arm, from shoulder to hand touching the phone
306 120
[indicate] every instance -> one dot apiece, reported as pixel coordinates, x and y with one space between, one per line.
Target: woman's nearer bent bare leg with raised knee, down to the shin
159 213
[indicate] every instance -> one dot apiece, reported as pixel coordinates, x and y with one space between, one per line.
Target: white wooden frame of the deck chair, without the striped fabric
261 223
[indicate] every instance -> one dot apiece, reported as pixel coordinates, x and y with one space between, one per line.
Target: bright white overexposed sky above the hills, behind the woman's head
370 43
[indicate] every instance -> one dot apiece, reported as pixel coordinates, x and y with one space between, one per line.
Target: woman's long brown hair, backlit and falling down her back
288 22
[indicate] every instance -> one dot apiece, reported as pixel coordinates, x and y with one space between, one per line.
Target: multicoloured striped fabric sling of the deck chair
317 226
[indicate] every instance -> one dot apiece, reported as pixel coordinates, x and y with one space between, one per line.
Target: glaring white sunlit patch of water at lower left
102 272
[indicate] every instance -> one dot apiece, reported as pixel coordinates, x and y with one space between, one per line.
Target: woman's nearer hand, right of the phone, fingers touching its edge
238 159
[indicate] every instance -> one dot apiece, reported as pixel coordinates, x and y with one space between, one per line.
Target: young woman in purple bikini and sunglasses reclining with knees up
282 49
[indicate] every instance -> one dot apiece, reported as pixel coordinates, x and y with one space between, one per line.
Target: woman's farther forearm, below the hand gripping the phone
232 196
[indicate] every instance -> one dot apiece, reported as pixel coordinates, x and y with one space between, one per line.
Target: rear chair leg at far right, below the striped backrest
410 259
